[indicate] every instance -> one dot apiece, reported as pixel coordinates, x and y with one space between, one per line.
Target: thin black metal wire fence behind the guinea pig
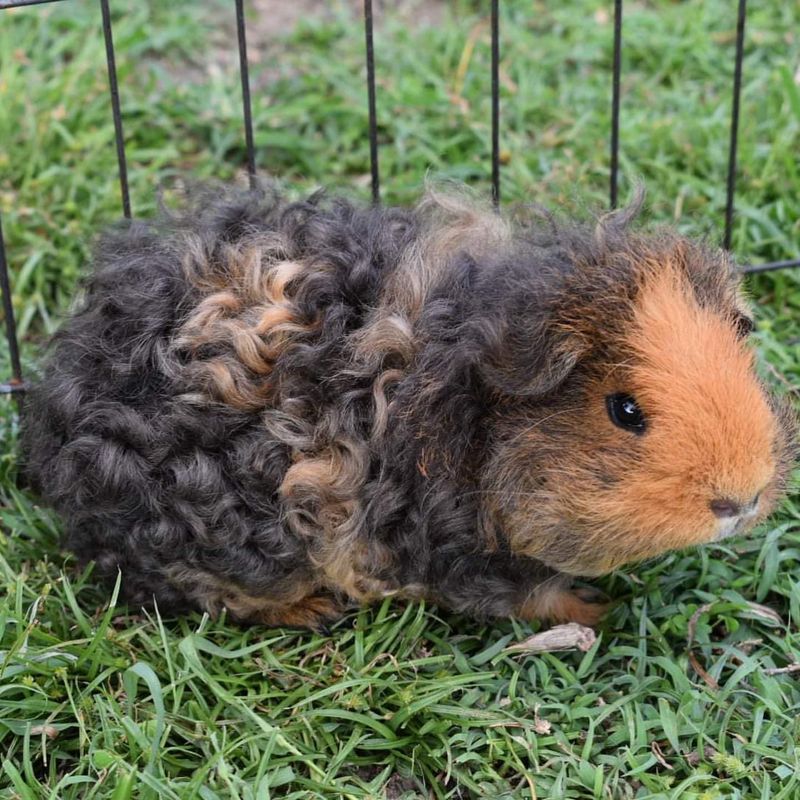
16 385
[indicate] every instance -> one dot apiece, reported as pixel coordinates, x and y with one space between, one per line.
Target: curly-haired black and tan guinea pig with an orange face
283 409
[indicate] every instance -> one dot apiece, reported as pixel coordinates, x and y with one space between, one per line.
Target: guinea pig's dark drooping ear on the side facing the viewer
533 364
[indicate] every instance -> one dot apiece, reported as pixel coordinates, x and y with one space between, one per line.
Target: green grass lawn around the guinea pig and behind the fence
679 697
